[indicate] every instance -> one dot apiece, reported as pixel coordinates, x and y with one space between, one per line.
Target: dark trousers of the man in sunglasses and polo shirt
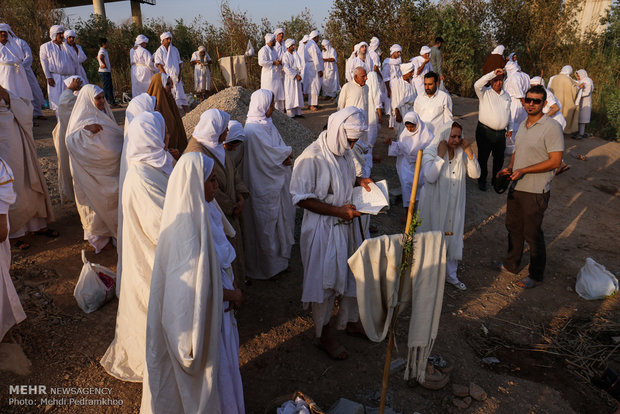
524 215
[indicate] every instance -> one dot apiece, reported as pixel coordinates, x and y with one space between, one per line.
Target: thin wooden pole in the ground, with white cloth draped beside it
388 354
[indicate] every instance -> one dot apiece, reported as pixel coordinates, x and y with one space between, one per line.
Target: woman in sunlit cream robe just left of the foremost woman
142 201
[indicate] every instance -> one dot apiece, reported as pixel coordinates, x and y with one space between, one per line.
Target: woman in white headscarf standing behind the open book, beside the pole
416 136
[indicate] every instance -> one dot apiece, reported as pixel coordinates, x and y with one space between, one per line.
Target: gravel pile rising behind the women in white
235 101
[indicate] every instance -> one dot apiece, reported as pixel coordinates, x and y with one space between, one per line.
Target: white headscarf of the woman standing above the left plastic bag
86 113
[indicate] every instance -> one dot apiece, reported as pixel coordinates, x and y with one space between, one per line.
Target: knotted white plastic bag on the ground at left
90 291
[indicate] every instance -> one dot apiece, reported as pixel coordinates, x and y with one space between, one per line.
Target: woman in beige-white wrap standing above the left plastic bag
95 142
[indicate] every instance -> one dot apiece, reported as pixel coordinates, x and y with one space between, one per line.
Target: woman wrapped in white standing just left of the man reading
269 213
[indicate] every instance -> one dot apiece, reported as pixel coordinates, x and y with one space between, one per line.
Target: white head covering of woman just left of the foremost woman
145 141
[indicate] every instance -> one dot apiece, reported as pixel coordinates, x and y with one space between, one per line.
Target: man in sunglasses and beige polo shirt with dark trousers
539 146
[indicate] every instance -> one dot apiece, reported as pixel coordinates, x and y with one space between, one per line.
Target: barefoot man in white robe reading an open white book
322 184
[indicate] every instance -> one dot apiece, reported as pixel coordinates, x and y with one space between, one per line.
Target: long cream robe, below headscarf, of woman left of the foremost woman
143 195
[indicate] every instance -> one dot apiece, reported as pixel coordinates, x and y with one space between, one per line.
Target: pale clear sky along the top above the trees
275 11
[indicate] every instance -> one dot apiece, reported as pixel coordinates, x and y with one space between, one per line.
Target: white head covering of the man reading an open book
348 123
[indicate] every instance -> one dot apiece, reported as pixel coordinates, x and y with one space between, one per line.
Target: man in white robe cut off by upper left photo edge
13 76
